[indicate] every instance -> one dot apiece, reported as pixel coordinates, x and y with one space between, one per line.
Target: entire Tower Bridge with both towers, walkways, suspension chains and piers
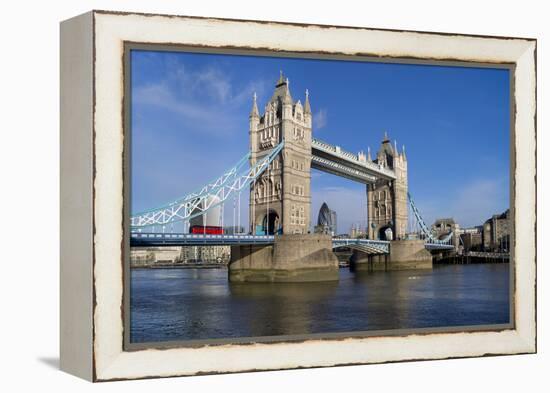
276 172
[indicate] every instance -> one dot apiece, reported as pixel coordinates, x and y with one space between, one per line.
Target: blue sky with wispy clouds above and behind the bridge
190 123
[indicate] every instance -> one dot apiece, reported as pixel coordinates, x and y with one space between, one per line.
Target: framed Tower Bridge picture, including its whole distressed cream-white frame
245 195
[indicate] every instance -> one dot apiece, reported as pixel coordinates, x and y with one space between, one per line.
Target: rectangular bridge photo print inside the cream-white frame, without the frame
279 197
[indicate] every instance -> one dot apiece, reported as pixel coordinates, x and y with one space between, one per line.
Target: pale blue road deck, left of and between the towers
142 239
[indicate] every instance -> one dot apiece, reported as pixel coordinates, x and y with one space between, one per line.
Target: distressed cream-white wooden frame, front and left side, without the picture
94 188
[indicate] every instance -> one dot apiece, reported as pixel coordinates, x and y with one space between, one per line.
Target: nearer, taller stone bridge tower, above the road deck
280 200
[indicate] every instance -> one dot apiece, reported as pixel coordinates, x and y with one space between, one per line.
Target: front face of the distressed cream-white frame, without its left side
111 30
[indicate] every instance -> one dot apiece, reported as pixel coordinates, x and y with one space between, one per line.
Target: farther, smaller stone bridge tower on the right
386 199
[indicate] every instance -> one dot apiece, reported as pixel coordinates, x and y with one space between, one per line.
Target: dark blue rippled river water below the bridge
190 304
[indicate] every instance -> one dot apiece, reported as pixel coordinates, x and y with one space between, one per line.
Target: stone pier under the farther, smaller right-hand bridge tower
404 254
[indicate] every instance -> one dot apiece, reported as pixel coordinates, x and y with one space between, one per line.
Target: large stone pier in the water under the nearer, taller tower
292 258
